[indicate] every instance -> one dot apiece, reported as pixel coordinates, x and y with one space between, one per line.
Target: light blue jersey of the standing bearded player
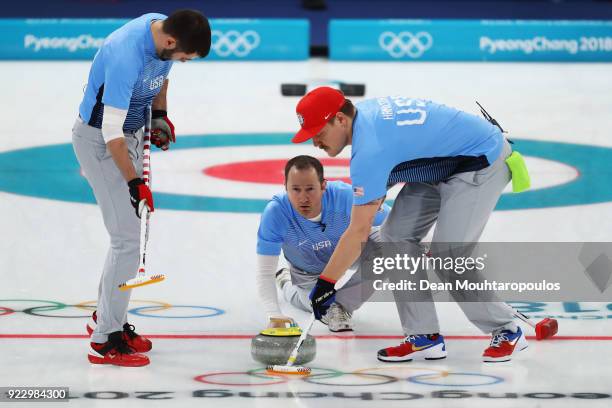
125 74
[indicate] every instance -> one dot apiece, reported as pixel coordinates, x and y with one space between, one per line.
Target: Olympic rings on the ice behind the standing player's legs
149 308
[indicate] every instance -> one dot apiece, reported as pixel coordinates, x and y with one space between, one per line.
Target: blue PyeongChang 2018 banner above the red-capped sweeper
470 40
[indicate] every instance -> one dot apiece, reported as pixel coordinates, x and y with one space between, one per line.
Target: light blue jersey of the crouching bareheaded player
308 245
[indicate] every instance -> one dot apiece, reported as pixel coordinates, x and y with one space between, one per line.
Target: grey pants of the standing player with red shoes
123 226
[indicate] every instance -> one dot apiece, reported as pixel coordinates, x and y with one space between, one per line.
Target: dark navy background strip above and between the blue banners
493 9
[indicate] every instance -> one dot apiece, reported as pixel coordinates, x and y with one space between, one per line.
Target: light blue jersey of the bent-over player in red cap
397 139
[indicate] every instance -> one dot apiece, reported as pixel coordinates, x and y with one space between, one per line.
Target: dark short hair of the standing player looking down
191 30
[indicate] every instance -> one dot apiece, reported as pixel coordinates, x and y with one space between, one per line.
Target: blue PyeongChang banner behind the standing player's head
80 39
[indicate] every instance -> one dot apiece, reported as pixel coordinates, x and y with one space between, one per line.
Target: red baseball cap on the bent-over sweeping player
315 109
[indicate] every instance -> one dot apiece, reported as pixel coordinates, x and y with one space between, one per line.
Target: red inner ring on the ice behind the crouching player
266 171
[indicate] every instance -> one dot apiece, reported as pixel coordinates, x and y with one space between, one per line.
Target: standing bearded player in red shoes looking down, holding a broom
128 75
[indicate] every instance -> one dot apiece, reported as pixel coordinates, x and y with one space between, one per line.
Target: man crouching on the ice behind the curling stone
305 222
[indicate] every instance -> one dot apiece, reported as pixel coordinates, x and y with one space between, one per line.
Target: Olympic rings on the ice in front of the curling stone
358 378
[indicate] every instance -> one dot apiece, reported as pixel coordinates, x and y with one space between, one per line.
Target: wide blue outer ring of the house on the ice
52 172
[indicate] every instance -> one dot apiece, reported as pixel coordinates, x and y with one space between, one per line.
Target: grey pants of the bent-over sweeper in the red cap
461 205
